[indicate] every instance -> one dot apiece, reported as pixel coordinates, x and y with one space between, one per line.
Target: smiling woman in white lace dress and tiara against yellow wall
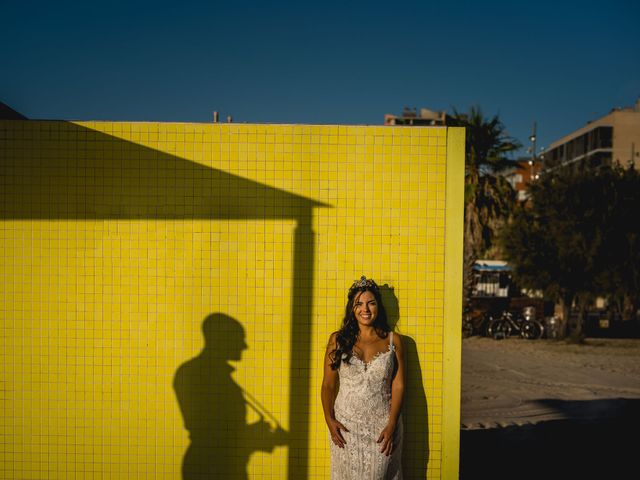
362 390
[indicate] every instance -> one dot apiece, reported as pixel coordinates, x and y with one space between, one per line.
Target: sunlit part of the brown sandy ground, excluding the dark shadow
518 382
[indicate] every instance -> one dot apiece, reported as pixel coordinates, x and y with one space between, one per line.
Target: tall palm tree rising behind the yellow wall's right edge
488 196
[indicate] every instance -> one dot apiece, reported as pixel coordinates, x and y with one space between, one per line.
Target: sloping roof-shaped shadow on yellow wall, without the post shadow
60 170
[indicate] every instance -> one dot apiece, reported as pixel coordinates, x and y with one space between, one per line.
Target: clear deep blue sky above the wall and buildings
558 63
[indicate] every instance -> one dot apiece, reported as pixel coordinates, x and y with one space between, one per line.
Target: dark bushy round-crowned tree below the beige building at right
576 239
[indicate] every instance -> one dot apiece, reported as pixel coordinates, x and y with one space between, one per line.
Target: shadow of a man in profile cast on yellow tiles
214 407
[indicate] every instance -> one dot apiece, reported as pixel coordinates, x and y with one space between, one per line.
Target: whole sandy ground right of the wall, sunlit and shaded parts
549 409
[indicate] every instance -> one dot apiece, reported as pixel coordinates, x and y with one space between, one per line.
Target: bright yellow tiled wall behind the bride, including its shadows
118 240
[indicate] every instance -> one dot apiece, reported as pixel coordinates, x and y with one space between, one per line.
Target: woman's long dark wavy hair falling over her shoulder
347 336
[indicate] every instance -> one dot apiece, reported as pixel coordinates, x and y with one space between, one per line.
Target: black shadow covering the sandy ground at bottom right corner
598 441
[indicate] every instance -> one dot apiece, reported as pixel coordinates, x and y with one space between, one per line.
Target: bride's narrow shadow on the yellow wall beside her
415 454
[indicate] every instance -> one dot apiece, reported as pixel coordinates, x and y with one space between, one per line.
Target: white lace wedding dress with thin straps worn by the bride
362 405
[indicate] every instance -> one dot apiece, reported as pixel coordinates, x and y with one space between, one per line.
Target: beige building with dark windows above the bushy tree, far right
614 138
